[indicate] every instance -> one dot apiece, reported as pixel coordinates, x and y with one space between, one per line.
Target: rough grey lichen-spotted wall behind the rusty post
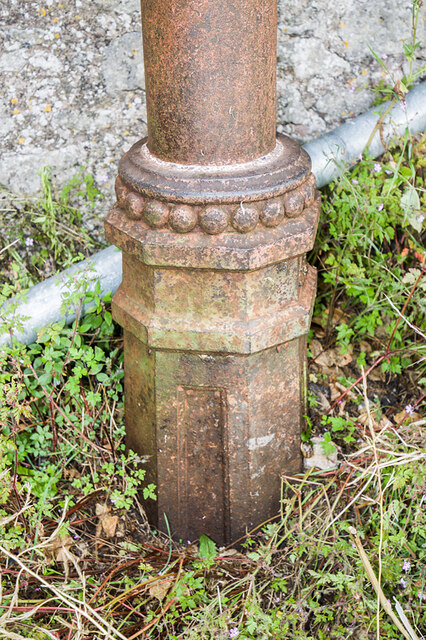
72 82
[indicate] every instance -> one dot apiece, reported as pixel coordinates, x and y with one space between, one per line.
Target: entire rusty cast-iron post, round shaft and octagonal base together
214 214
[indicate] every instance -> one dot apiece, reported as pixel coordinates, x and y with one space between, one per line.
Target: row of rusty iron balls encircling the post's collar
213 219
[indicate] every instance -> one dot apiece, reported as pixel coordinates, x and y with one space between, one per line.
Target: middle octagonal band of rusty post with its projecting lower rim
209 311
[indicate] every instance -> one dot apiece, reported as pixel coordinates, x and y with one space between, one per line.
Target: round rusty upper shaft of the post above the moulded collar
210 79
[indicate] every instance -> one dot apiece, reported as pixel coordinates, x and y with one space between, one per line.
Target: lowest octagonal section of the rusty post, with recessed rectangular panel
219 430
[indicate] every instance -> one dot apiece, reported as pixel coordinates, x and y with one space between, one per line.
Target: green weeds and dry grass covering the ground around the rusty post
344 558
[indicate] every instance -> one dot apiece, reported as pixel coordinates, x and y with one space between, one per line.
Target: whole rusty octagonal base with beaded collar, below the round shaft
216 303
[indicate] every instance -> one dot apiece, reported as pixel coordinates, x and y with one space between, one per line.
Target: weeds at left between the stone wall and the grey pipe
44 233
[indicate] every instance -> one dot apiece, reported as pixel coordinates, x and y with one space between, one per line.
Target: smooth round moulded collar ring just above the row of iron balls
284 169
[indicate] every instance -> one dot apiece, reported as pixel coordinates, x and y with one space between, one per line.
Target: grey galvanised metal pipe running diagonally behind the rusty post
331 155
